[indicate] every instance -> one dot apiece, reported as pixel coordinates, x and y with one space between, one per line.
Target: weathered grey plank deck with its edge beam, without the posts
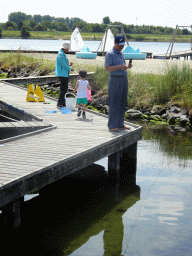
29 163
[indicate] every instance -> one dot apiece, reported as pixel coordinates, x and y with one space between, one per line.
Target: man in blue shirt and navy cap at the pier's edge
117 84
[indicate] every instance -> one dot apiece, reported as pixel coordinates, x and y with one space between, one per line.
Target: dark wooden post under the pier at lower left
12 214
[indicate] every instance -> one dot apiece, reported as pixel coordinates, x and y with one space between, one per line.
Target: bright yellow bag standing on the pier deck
34 93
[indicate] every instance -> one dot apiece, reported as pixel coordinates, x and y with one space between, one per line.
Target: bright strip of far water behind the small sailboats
54 45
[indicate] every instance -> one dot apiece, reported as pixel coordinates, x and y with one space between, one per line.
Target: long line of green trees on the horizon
26 23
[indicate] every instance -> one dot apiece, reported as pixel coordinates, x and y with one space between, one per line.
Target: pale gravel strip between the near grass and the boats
156 66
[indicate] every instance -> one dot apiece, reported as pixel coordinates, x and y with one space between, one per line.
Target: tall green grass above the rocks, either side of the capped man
174 85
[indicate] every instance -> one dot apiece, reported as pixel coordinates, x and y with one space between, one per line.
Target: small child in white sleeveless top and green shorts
81 88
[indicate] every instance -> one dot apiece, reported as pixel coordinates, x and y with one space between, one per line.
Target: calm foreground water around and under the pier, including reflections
76 217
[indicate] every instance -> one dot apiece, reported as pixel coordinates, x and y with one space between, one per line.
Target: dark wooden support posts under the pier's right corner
122 167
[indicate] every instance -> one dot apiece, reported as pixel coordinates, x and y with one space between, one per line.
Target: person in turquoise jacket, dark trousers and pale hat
62 69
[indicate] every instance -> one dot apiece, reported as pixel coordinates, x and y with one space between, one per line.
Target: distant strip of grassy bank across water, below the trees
96 36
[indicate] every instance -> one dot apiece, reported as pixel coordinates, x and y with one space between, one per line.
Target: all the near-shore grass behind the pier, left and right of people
145 90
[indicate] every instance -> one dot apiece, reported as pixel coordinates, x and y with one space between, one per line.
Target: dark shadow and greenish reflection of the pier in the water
67 216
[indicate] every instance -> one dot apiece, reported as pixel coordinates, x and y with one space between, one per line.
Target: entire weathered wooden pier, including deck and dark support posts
63 146
